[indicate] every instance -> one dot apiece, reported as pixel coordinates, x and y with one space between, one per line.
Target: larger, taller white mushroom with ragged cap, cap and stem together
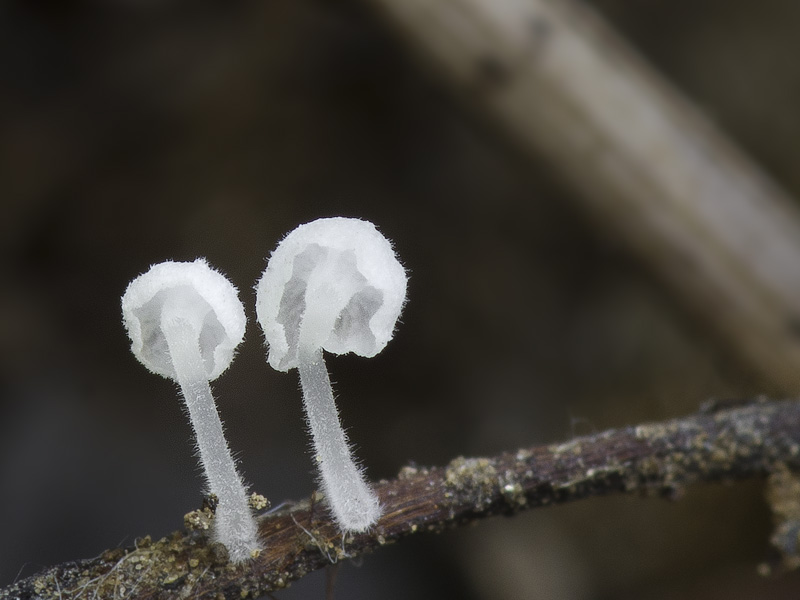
333 284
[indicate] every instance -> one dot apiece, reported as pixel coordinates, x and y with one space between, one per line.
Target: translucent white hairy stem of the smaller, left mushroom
234 524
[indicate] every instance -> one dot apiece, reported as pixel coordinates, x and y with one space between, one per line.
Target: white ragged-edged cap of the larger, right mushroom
335 282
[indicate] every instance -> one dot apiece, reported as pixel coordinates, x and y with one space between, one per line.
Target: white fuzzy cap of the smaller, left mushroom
212 307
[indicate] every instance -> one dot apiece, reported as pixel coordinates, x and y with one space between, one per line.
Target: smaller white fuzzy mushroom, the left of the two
185 321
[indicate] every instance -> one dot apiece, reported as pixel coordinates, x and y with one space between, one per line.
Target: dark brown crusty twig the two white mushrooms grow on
723 442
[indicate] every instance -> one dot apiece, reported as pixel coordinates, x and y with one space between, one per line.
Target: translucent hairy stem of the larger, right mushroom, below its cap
355 506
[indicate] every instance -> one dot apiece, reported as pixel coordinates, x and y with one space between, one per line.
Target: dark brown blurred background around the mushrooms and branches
137 131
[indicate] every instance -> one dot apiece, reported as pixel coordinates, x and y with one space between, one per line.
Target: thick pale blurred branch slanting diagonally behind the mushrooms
646 165
